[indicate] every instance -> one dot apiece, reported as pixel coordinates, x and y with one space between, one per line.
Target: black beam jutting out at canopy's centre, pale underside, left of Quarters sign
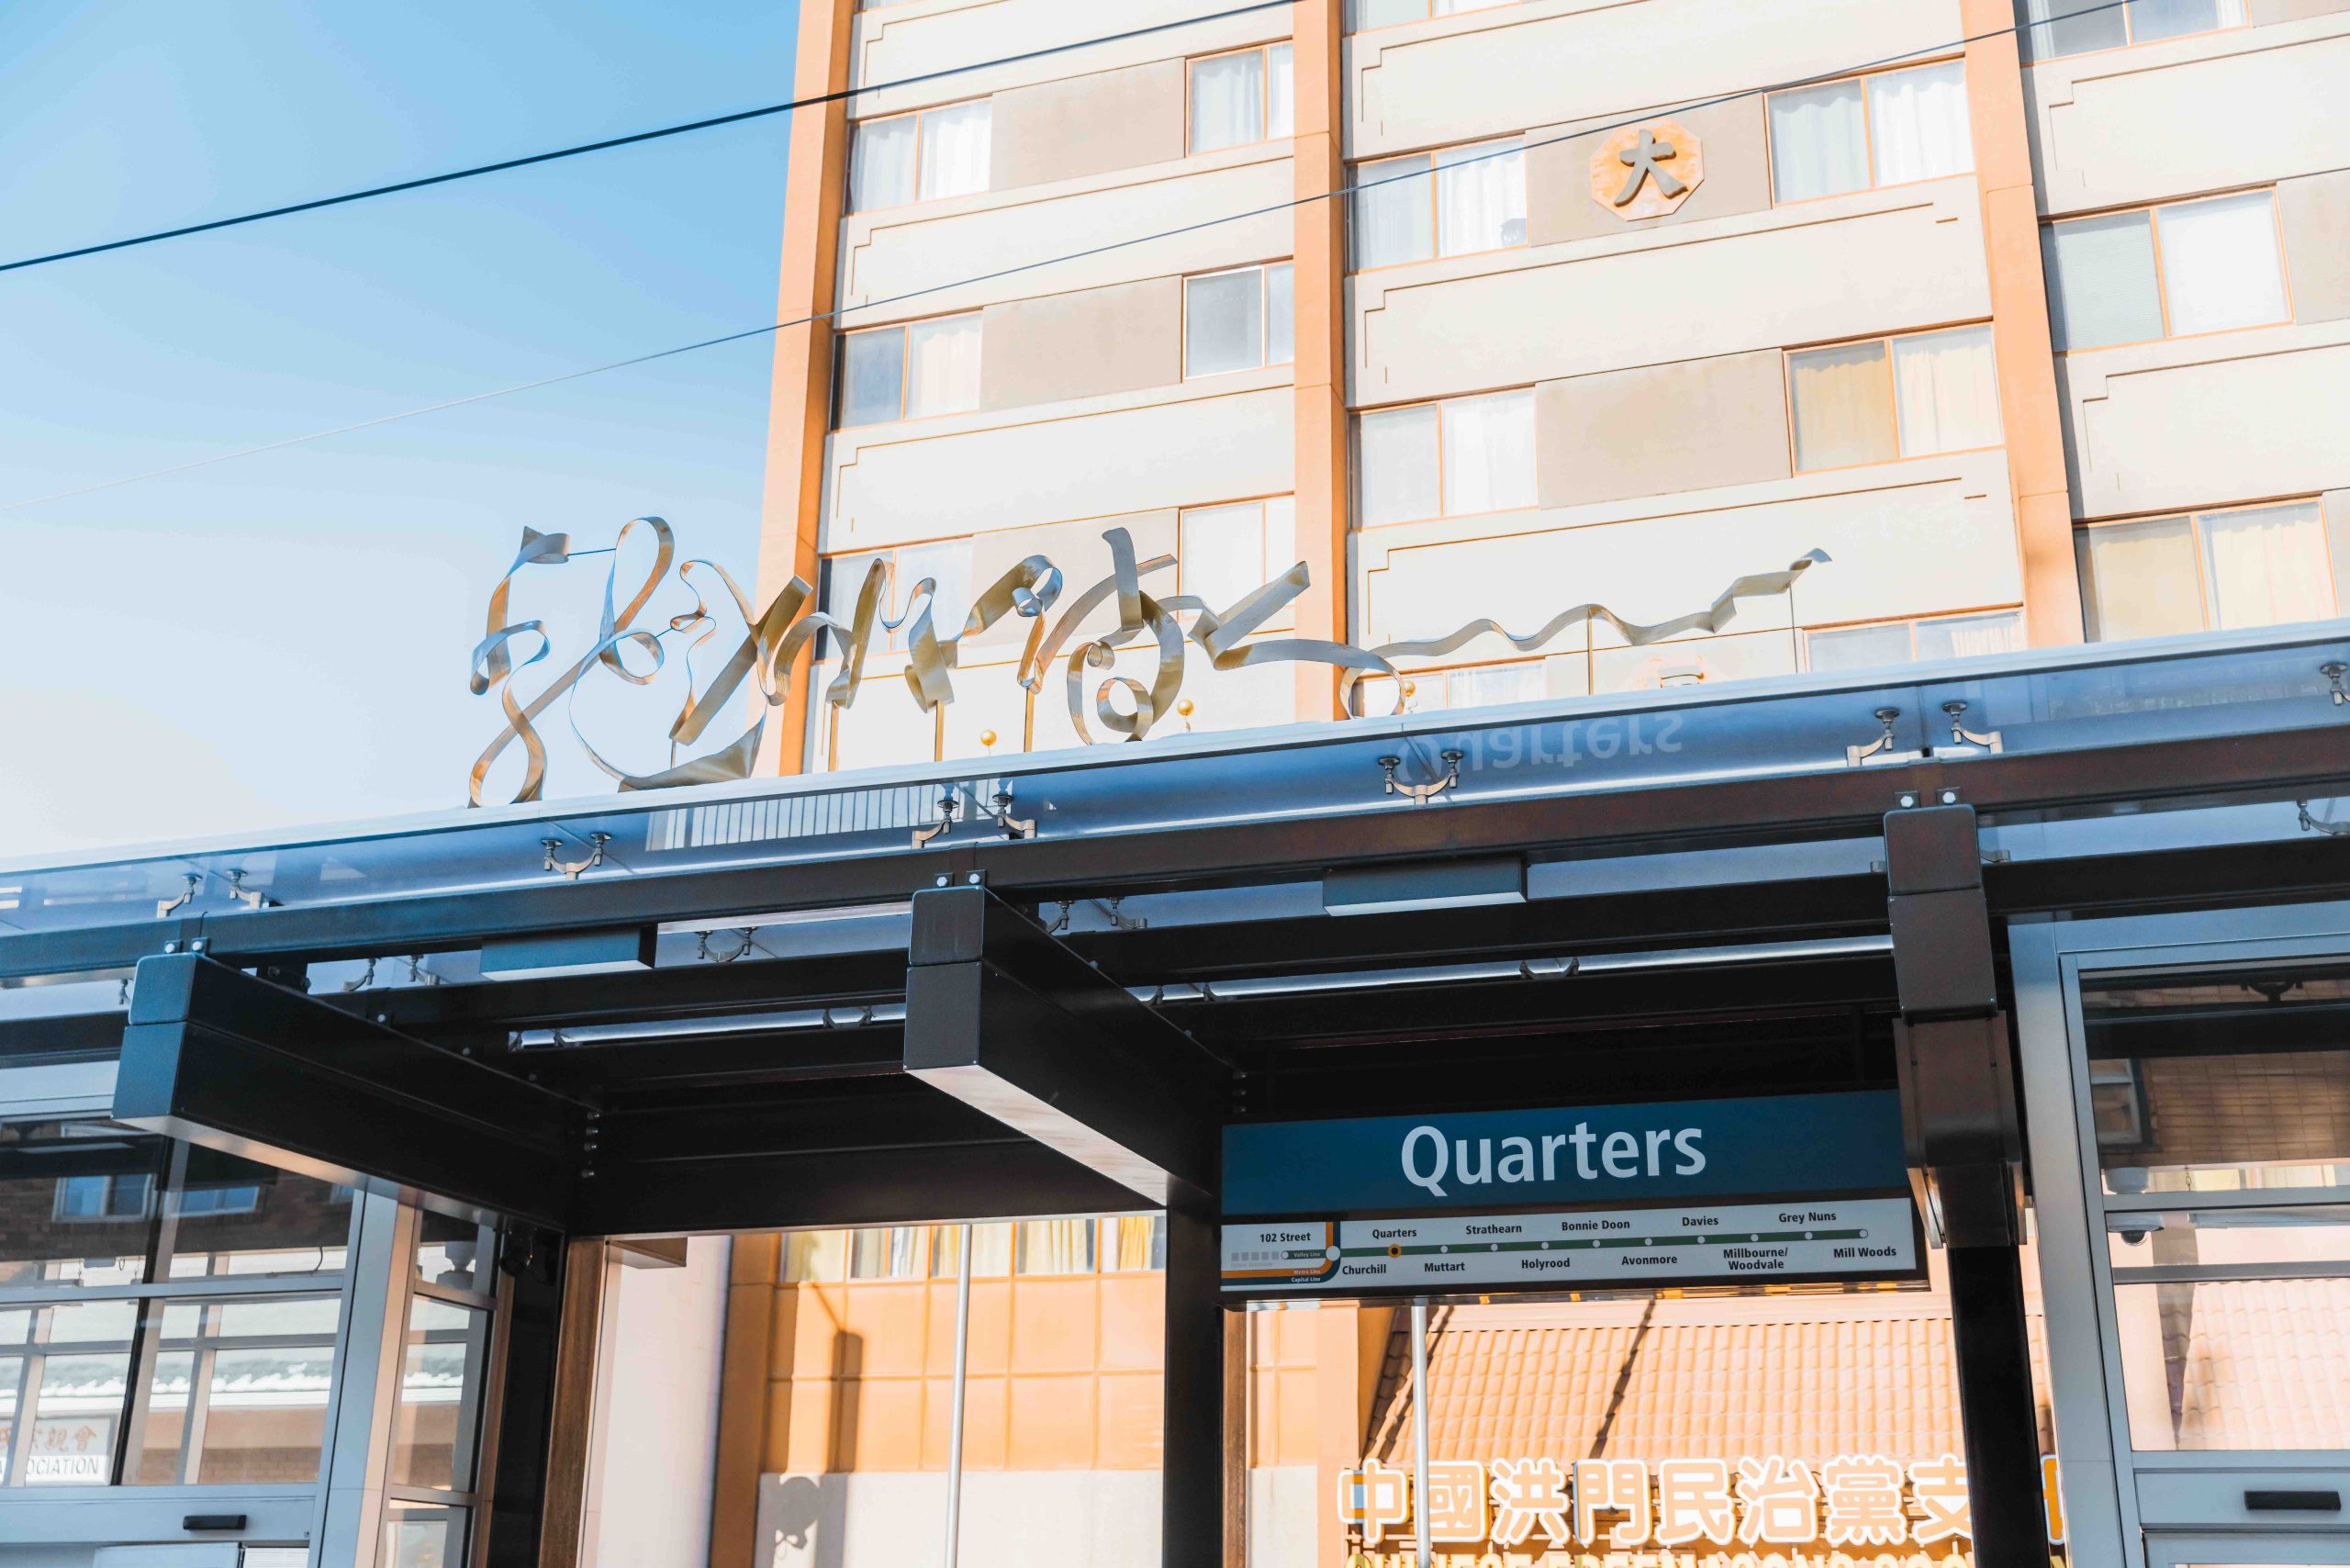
1009 1021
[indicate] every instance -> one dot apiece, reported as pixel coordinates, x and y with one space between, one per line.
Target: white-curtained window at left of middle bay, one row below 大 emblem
1446 460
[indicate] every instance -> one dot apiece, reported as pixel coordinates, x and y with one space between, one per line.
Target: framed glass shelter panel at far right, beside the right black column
2220 1106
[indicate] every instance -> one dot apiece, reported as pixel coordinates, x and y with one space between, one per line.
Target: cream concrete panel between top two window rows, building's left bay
915 250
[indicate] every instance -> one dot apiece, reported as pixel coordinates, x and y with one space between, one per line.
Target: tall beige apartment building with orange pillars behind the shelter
1484 311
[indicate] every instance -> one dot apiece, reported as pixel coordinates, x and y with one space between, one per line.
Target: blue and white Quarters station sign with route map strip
1594 1198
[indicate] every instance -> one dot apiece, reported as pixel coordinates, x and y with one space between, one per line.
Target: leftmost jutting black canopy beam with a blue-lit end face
253 1068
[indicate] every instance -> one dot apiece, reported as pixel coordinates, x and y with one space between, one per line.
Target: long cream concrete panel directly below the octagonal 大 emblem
1846 267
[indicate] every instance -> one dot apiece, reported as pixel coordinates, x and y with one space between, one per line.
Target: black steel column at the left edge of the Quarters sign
1193 1487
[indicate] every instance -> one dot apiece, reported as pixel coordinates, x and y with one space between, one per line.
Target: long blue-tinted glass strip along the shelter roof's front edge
2039 702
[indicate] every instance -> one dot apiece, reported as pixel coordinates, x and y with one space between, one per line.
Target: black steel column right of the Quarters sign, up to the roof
1959 1108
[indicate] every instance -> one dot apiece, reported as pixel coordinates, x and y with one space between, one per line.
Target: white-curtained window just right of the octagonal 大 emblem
1872 130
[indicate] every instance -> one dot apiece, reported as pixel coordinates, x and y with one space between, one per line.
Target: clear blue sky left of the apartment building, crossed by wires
286 638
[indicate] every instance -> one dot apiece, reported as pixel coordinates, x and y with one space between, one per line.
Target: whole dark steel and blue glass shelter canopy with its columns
1049 986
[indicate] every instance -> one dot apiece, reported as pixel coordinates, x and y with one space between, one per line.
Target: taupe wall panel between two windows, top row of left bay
1089 126
